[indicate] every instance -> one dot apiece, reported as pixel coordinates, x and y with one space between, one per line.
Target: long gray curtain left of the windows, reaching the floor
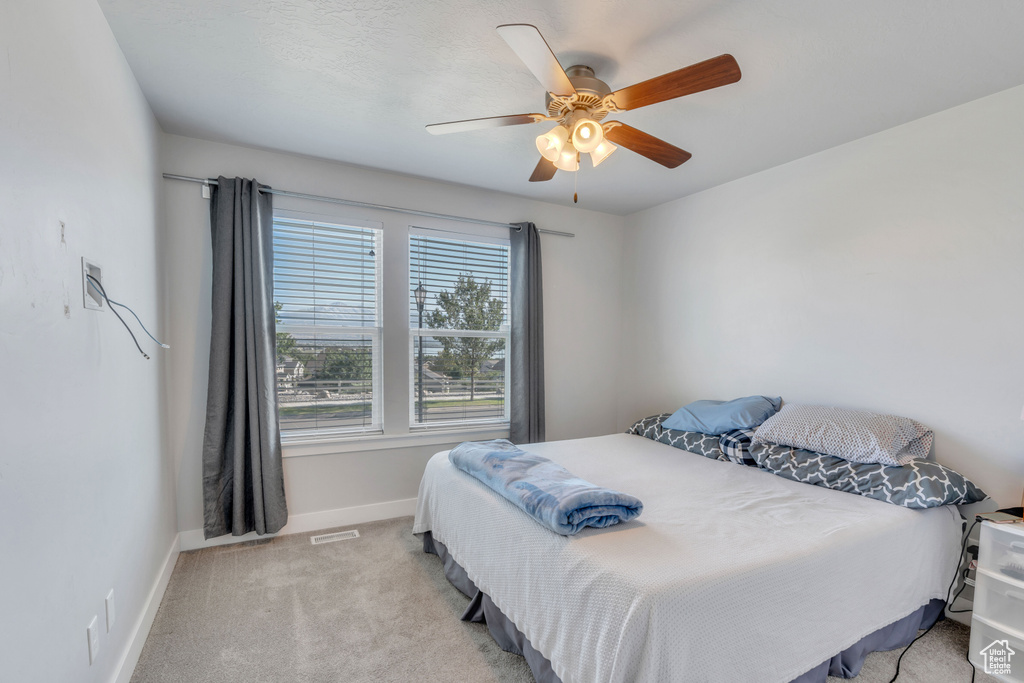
243 487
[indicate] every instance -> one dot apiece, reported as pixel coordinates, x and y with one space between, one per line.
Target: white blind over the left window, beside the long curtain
327 291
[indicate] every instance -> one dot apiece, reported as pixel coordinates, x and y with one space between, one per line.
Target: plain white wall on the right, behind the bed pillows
884 275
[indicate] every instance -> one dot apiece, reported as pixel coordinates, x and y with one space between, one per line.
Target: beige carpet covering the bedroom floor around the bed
373 610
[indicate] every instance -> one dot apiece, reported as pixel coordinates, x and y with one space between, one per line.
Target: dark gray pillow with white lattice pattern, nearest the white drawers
919 484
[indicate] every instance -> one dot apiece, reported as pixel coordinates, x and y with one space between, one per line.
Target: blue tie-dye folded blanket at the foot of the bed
564 503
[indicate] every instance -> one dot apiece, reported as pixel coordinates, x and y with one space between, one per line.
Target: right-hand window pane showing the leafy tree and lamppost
459 319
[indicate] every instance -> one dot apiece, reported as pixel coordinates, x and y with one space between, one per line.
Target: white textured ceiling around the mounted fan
358 80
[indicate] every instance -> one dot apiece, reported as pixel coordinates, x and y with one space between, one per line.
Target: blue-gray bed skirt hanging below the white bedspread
845 665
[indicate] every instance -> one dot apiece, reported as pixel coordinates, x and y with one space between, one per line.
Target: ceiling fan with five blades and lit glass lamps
579 101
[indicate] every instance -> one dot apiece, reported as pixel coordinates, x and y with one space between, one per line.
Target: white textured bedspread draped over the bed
732 574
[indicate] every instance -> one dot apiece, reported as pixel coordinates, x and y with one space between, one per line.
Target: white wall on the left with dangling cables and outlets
87 498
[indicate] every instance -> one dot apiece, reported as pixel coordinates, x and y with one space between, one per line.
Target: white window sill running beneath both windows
336 445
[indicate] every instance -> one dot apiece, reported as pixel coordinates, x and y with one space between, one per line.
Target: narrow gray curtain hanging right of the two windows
527 353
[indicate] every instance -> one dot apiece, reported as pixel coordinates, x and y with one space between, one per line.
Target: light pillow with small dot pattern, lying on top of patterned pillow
857 436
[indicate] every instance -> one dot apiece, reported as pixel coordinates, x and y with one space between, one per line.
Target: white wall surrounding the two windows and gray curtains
583 301
